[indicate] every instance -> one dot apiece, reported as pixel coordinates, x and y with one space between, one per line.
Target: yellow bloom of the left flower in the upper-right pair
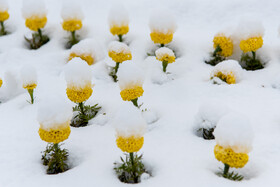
225 44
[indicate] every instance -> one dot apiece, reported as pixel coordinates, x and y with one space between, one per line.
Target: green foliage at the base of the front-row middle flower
130 169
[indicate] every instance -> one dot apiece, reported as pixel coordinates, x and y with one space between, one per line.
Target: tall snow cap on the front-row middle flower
129 122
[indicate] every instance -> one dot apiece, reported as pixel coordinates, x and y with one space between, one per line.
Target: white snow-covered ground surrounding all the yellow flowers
172 151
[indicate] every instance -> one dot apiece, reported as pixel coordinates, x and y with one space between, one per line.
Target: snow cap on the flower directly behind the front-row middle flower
130 75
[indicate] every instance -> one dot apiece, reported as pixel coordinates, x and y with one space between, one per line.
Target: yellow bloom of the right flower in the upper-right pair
251 44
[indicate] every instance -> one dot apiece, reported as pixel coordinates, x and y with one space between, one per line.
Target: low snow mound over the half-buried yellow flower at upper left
88 47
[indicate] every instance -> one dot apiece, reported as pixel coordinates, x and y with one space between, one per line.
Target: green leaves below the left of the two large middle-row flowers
85 113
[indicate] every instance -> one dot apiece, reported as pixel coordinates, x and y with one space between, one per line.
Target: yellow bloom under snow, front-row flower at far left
55 135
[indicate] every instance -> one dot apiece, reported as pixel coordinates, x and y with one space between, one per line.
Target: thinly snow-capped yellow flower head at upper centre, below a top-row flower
119 52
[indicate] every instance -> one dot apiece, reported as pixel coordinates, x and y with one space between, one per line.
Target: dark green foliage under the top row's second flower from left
37 40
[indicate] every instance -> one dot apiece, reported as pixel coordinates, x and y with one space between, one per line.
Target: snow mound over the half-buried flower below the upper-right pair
228 67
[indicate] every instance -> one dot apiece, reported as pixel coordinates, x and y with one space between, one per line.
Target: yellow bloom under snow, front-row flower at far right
229 157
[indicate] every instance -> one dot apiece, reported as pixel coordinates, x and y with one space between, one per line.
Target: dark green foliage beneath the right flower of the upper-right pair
251 62
